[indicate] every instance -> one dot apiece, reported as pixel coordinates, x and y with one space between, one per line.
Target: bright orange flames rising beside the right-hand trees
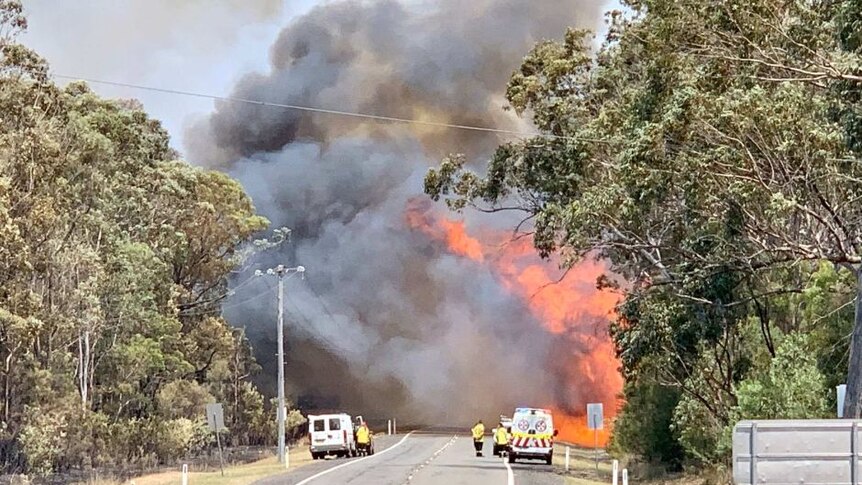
569 306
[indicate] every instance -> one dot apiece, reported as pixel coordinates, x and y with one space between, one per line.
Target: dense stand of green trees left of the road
114 260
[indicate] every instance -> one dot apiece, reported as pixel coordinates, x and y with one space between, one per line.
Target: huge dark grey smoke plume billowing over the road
400 324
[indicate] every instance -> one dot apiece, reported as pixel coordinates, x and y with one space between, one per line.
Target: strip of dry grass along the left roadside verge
235 475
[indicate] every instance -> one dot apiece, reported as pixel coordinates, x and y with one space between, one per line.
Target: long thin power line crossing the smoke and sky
394 119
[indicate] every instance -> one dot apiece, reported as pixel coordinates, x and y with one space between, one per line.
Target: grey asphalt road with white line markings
420 460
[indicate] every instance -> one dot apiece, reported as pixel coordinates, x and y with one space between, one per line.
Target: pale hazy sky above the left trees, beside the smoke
189 45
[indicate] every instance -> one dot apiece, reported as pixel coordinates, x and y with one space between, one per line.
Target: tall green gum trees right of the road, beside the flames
708 151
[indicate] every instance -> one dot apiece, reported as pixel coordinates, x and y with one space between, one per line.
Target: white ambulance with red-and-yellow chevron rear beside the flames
533 435
